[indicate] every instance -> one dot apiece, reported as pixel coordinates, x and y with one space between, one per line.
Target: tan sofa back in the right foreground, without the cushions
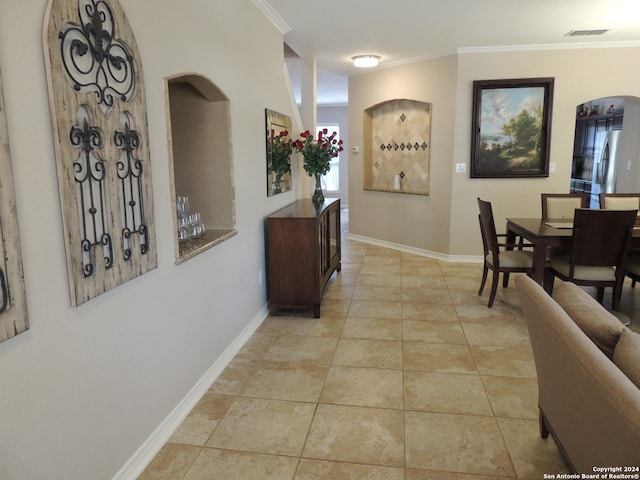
593 409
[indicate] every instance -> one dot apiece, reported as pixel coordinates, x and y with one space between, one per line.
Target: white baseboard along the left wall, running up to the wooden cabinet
152 445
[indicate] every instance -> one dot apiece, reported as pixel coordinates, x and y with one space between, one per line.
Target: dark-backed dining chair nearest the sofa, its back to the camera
599 246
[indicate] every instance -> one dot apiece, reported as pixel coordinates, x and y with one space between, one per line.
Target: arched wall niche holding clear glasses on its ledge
201 163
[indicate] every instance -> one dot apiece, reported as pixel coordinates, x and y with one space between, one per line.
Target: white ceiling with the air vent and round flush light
403 31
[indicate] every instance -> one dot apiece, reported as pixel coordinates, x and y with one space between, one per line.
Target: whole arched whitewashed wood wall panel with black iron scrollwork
99 122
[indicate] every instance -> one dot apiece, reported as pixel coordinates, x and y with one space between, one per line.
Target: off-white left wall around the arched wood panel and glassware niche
86 386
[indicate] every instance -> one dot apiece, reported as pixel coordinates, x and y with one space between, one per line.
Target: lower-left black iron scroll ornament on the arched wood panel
89 173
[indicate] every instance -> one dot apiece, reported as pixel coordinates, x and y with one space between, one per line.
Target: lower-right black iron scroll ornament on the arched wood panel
130 173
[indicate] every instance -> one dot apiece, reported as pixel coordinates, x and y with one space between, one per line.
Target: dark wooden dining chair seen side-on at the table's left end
503 261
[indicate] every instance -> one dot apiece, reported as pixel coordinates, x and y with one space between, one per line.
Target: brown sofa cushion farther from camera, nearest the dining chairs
599 325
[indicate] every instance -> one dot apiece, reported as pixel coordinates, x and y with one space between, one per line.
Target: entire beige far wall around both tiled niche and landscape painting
580 75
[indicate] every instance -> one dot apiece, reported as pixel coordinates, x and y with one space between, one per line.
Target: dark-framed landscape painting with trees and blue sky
511 128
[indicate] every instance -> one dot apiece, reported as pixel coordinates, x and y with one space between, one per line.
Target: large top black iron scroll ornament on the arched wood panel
93 58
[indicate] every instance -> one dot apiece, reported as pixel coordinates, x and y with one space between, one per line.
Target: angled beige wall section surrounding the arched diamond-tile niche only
413 220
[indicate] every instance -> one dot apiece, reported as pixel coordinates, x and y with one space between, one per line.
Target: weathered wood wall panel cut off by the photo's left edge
13 302
